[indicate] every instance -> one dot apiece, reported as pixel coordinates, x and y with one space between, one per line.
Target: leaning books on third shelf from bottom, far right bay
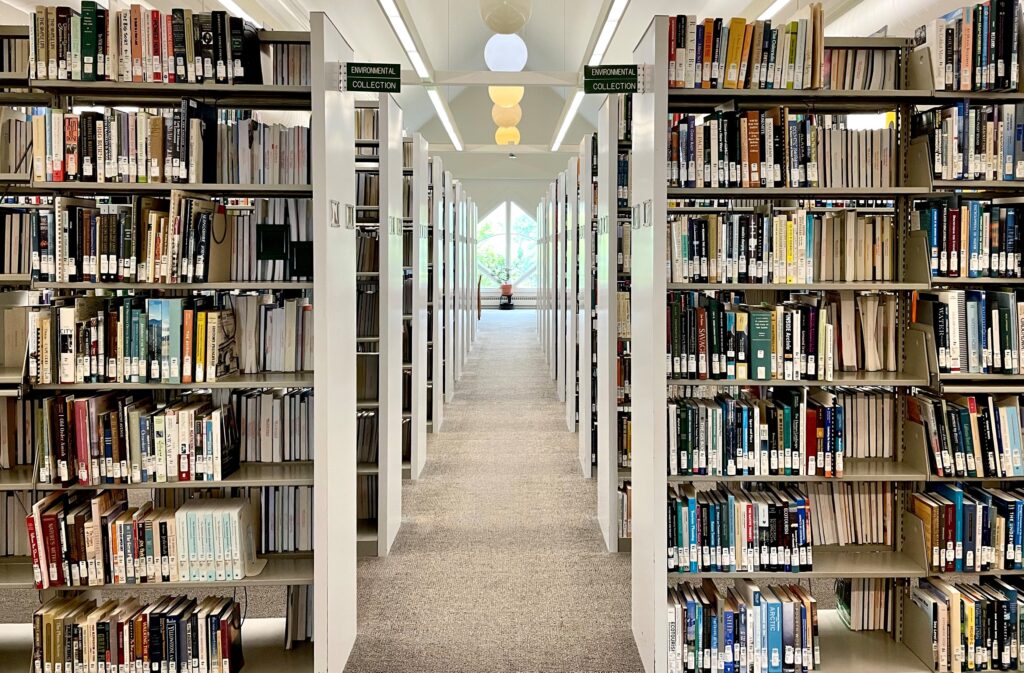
971 436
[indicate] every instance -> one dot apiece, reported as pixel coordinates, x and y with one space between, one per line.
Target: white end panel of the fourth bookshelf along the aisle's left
436 297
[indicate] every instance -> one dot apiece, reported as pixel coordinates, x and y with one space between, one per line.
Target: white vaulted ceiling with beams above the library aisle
558 36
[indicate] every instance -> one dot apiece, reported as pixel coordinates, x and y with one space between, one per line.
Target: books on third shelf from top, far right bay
971 239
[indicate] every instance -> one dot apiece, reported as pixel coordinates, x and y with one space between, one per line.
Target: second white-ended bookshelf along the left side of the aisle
383 515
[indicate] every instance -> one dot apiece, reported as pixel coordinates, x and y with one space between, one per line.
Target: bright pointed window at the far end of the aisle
506 242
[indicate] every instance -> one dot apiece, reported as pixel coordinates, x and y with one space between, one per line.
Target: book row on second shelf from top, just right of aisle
778 149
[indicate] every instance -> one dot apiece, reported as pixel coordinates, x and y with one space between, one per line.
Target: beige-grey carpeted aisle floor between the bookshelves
499 566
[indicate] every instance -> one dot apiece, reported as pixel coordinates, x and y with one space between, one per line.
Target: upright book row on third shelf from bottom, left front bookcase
110 439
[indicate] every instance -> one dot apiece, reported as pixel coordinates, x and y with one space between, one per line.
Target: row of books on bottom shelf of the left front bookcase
172 633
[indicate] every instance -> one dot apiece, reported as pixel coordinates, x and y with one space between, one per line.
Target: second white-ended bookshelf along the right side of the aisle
613 346
